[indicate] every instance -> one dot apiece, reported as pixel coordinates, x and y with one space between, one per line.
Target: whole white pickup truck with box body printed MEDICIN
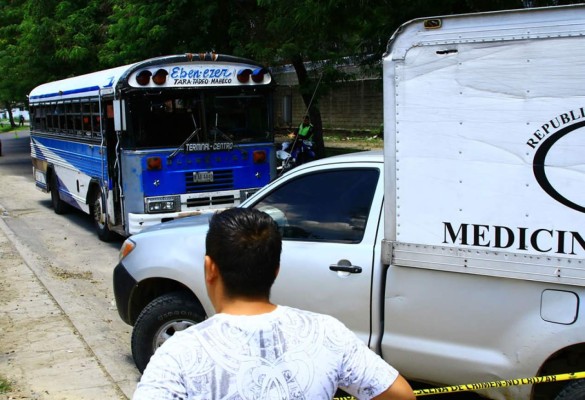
457 253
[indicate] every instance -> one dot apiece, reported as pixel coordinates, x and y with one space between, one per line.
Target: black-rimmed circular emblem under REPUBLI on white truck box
554 166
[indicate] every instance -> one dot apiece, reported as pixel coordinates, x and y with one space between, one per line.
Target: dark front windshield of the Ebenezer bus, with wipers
169 119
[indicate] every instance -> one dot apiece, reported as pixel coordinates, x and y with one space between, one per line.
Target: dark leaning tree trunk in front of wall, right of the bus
308 91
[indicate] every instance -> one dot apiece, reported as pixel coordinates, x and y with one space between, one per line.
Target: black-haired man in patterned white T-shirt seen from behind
254 349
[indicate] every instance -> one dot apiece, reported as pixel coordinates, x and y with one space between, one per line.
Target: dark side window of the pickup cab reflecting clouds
330 206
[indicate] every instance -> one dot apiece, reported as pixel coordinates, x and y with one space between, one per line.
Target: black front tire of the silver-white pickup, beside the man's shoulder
159 320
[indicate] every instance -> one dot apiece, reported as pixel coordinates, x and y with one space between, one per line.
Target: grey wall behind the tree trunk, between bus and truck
351 106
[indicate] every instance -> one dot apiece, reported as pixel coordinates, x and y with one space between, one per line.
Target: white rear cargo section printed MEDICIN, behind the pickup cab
484 161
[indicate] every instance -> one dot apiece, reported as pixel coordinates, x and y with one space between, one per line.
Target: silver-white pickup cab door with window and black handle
329 219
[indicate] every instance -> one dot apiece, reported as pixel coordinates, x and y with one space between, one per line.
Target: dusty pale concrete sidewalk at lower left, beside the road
41 353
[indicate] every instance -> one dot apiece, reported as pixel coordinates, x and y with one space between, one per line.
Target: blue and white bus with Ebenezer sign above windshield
149 142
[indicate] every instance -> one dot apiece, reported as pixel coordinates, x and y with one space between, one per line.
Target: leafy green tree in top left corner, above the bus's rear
47 40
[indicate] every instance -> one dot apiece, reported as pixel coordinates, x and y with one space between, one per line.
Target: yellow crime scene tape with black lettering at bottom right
488 385
